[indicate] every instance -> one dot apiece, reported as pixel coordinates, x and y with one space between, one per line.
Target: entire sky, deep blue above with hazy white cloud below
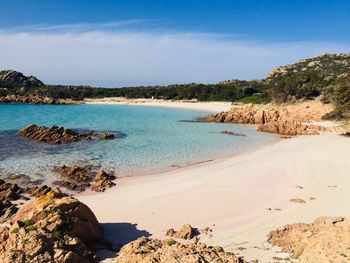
158 42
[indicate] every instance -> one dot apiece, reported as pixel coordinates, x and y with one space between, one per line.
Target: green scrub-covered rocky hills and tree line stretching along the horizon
326 75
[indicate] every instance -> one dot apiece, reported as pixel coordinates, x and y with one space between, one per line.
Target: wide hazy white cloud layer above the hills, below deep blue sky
86 54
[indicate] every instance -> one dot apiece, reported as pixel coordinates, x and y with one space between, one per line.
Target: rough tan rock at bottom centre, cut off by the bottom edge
145 250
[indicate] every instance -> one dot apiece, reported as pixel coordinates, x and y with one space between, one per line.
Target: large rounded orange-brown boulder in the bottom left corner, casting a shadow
52 228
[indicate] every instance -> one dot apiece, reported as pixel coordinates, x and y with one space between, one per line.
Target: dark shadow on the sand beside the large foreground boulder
120 234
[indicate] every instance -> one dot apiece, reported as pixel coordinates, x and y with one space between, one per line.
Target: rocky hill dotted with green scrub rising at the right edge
327 75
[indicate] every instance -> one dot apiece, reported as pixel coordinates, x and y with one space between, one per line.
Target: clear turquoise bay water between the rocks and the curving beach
154 138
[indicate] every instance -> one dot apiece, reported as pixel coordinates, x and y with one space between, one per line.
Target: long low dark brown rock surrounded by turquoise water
57 135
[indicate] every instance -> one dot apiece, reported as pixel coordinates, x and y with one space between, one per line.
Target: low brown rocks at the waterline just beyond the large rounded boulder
79 178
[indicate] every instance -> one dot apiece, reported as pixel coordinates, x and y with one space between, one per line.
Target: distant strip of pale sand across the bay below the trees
190 105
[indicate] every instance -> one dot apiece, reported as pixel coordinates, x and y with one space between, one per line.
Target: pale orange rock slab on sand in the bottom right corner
327 239
